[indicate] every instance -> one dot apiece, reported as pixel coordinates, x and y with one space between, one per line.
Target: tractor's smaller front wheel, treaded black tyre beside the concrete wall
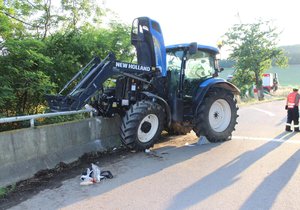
142 125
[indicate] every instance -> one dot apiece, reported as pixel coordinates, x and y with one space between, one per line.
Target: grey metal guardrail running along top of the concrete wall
32 118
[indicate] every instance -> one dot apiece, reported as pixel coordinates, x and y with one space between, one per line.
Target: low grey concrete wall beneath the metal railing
26 151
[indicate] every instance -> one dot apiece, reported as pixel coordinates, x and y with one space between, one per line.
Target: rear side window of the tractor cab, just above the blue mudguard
199 65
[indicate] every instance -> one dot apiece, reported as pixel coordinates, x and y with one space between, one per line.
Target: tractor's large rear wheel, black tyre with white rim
217 116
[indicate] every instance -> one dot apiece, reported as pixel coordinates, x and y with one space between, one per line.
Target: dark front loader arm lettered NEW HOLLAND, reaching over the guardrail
93 81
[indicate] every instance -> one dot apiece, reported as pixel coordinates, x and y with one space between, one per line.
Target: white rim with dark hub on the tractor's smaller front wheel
148 128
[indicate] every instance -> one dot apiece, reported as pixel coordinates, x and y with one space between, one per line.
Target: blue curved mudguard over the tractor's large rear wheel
206 85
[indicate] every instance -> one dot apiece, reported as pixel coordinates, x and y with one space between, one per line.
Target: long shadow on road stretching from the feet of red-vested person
224 176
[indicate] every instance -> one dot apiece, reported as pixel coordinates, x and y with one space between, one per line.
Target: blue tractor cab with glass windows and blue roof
188 66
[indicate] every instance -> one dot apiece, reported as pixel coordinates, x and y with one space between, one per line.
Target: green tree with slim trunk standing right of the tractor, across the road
254 47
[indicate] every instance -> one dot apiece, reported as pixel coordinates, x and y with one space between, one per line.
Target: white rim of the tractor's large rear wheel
219 115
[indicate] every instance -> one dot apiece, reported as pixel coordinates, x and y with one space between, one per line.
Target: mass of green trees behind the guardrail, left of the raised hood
42 45
